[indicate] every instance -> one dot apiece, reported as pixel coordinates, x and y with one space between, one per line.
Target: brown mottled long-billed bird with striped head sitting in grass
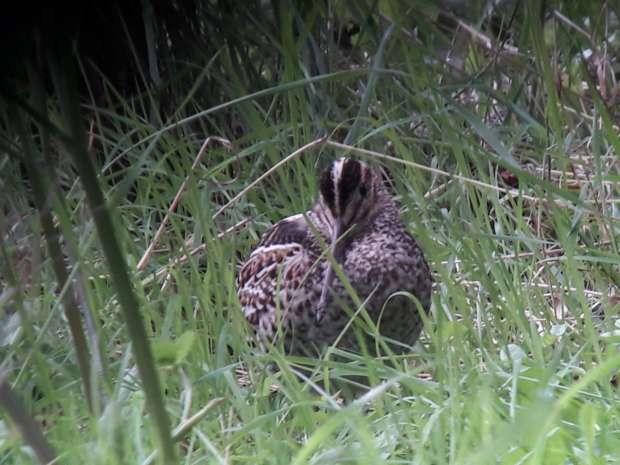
289 289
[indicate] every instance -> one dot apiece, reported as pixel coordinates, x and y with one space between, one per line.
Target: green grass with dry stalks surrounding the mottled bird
505 162
